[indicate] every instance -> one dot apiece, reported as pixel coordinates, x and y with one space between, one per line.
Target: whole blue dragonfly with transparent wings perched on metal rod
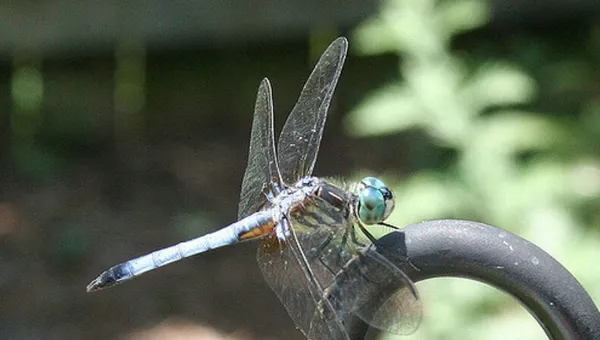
311 253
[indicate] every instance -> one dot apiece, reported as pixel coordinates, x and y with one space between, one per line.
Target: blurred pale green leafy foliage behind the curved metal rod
513 164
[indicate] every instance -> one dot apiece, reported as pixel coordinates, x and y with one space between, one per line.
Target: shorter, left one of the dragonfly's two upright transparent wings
262 170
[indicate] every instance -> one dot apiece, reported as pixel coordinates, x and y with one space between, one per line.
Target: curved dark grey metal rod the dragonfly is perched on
501 259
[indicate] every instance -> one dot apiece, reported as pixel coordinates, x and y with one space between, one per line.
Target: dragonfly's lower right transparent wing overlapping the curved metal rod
378 292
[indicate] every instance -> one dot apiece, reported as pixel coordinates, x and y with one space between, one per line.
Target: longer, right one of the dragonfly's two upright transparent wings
301 135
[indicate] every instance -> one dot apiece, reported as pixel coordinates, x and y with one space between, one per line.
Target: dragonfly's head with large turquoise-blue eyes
375 201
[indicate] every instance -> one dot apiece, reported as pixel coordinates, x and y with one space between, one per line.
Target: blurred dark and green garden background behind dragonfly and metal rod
124 128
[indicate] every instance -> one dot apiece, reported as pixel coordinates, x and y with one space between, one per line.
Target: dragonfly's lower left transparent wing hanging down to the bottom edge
291 260
